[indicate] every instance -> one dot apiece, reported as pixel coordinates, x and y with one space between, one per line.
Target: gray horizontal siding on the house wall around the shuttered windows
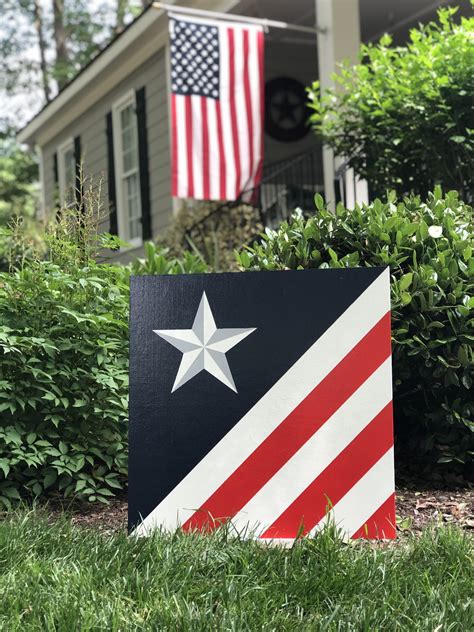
91 127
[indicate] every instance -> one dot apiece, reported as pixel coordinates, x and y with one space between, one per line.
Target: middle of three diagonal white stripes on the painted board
317 453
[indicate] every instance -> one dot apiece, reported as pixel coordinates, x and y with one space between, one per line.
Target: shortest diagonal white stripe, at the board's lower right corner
362 500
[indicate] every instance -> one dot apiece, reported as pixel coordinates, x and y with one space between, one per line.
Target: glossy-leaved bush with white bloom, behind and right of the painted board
429 248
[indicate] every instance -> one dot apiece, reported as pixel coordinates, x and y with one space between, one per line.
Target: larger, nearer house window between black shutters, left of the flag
127 172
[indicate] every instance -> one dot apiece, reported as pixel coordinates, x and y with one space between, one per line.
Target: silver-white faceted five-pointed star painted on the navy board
204 347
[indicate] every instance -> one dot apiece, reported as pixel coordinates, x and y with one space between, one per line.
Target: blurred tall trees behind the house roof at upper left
43 44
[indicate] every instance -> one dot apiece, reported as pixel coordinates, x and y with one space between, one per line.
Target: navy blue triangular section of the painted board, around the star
171 432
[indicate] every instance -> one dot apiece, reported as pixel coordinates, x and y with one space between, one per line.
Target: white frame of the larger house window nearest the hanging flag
122 215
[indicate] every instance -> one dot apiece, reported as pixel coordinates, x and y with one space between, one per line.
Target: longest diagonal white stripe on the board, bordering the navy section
272 409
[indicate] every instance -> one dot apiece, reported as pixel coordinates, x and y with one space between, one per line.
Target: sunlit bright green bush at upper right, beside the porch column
403 116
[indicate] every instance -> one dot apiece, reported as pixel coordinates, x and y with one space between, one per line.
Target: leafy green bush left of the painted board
64 367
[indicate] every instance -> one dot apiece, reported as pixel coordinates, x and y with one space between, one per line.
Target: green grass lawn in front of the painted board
63 577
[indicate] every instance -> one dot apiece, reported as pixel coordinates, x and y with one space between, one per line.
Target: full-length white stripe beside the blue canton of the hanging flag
230 173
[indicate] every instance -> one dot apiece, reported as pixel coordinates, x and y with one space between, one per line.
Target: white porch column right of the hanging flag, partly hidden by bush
340 41
